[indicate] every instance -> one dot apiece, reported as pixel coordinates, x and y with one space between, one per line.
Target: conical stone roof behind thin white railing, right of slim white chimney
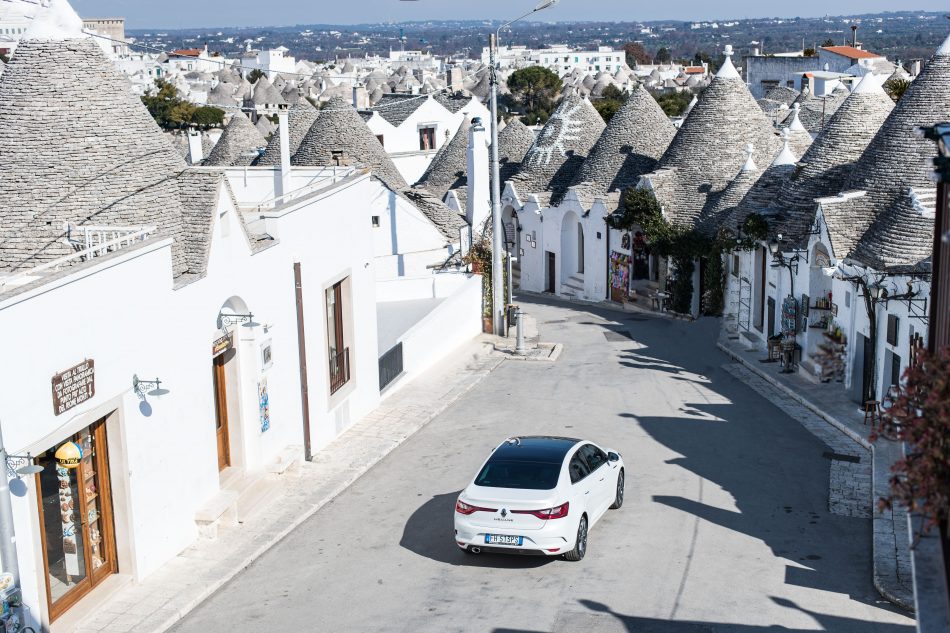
339 128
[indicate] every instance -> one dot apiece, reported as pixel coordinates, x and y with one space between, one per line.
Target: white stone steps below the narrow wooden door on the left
243 494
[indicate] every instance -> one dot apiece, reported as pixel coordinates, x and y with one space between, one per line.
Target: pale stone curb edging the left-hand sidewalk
212 587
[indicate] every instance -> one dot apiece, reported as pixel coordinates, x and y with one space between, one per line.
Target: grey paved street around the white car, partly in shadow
726 525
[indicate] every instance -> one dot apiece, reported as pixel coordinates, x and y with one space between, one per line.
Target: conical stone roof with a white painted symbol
561 147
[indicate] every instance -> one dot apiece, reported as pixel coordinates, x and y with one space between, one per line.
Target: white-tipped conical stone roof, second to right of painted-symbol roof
709 148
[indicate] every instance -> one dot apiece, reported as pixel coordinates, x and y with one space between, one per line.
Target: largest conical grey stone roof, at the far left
77 146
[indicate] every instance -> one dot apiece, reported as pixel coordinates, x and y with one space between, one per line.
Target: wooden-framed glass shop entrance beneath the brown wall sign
75 508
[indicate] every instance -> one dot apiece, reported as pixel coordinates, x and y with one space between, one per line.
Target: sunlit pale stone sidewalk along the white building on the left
166 596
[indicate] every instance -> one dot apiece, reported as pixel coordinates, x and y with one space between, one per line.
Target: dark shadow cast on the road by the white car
428 533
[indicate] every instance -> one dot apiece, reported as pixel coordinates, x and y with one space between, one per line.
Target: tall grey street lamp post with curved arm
498 291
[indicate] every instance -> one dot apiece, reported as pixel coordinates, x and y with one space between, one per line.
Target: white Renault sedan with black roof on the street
538 495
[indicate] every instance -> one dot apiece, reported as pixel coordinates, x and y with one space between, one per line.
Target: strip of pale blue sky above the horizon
192 13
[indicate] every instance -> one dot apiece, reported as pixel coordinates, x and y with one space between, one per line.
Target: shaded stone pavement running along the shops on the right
893 574
